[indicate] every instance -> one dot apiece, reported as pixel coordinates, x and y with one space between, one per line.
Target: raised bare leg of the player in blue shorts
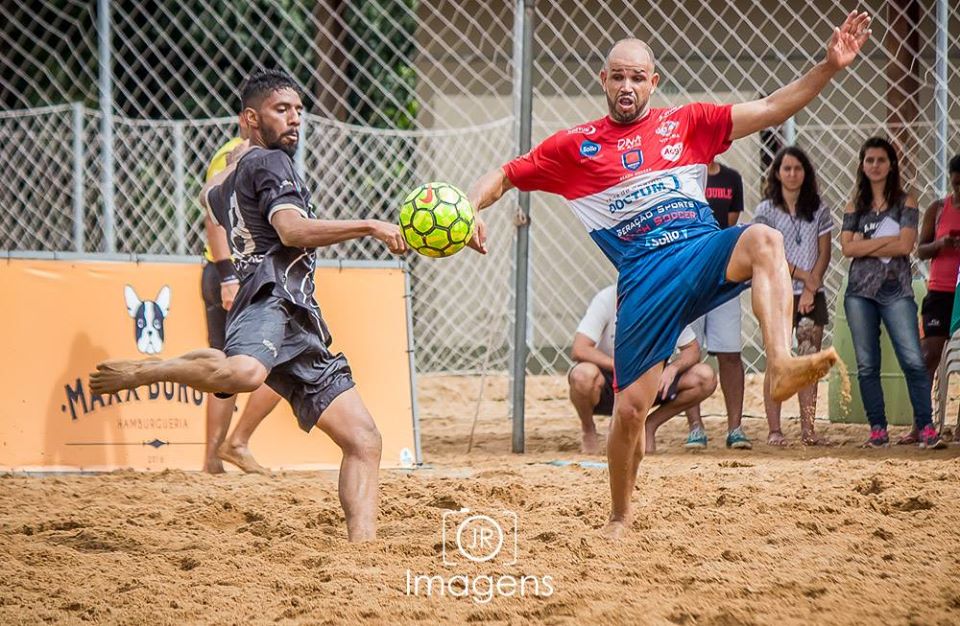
759 257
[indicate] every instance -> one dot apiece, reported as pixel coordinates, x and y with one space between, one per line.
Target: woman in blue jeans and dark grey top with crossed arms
879 233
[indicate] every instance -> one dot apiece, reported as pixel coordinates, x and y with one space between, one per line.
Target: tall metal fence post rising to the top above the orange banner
106 122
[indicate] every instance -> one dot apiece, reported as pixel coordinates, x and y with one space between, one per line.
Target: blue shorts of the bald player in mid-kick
663 290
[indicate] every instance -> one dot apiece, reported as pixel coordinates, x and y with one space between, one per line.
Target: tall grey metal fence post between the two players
525 10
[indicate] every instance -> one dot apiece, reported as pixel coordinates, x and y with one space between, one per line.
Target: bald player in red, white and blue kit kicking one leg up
635 179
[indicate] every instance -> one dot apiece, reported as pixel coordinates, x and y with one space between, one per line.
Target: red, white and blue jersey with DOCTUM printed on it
634 186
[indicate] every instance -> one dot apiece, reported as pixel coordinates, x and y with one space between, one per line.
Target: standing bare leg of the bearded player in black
352 428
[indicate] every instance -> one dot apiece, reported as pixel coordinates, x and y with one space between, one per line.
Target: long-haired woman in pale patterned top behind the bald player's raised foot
792 205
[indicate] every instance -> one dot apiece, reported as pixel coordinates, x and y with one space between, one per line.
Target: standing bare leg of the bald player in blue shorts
625 445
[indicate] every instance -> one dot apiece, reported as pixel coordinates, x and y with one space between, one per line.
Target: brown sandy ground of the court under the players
834 535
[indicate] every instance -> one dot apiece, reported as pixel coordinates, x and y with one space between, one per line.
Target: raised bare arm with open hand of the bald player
843 48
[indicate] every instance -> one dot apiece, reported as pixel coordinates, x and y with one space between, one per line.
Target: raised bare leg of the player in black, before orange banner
205 370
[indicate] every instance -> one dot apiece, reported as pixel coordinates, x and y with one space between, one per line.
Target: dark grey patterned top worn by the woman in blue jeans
869 276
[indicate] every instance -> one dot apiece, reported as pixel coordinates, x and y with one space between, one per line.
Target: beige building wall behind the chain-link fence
714 51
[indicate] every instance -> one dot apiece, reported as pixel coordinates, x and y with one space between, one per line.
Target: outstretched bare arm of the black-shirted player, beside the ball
297 231
